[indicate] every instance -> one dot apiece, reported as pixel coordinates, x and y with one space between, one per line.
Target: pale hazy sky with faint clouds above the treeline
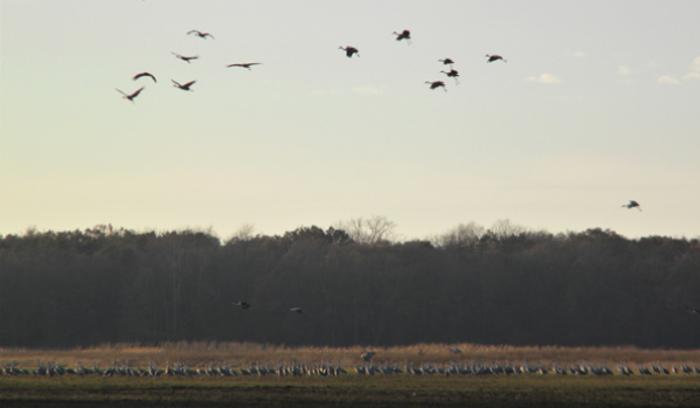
598 103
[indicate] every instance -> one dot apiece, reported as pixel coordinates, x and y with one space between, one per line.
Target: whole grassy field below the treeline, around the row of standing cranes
674 390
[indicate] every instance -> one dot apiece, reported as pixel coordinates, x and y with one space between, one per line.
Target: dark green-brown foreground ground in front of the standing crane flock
352 391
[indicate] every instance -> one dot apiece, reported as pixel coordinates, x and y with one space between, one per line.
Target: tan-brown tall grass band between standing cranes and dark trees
200 354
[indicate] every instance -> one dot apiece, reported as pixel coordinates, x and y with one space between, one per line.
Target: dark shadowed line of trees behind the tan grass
501 285
